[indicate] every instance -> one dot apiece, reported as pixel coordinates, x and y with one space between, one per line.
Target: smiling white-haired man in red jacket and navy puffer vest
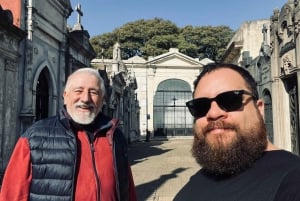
78 155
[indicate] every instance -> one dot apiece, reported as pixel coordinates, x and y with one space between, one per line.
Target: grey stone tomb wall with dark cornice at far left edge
10 37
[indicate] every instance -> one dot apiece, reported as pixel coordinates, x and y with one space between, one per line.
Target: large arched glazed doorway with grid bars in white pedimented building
170 115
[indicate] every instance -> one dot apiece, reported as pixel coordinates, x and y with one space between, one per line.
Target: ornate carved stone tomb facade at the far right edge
285 46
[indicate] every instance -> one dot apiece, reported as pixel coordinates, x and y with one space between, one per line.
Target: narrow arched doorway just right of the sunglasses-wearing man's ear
268 114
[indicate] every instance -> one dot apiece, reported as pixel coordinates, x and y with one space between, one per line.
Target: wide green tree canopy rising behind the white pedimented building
156 36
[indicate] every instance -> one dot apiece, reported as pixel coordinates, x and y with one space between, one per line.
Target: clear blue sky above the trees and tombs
101 16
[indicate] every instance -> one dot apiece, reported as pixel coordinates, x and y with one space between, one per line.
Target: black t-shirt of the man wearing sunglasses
273 177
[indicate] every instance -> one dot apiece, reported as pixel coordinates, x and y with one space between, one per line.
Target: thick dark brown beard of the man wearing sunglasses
232 158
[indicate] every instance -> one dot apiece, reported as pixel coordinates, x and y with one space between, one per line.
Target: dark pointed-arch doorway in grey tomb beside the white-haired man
42 95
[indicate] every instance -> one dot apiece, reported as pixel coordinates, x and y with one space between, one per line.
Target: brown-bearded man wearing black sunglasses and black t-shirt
230 143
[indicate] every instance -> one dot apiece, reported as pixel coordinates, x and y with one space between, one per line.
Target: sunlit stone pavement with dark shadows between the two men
161 167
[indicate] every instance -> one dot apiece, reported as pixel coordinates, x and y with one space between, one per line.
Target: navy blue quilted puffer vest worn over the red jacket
53 153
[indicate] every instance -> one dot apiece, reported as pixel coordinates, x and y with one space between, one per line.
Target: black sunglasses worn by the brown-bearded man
228 101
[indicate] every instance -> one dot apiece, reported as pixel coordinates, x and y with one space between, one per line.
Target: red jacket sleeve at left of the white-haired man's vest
17 177
